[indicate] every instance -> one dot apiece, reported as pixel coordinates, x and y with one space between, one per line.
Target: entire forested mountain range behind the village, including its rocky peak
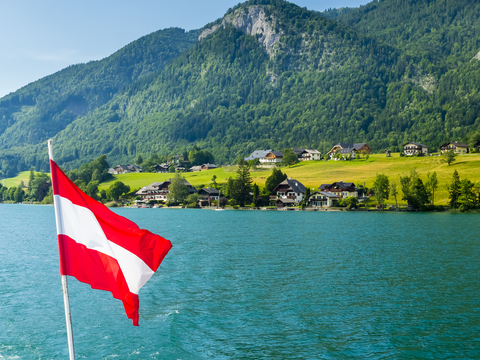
269 74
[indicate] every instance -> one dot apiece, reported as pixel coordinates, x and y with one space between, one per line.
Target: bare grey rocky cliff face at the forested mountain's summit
251 21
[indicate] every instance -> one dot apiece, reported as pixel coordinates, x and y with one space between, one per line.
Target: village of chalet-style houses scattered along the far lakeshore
289 193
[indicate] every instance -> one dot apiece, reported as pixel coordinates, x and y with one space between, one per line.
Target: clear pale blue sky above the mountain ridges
39 38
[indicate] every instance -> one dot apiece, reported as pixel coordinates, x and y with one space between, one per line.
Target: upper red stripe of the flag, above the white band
151 248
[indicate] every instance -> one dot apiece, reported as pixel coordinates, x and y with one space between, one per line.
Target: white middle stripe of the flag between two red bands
81 225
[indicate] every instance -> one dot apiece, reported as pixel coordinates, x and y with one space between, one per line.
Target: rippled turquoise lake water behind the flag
256 284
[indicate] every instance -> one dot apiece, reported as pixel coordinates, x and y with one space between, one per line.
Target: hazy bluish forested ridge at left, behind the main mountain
45 107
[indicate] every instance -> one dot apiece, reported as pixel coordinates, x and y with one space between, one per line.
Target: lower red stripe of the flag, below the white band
100 271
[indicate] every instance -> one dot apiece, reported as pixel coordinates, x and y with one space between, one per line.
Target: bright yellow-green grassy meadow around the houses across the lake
315 173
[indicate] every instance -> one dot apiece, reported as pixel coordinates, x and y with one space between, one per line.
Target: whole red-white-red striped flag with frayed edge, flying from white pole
101 248
